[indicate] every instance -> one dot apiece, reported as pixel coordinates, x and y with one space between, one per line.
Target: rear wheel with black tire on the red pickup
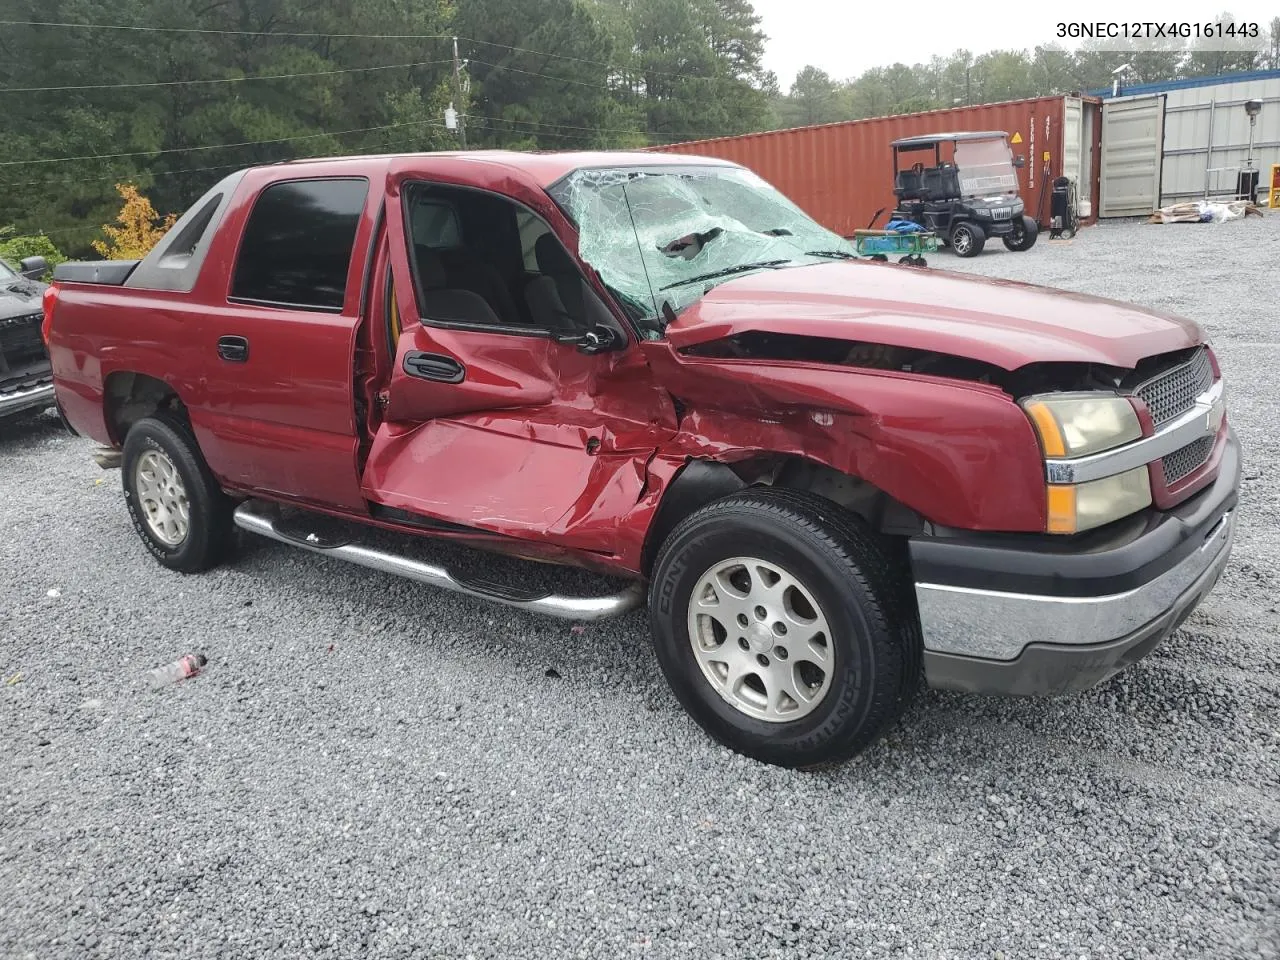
166 483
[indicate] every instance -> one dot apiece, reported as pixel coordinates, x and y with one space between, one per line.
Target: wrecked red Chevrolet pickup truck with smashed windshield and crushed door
824 476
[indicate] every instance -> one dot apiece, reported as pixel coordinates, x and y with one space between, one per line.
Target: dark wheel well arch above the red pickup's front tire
703 481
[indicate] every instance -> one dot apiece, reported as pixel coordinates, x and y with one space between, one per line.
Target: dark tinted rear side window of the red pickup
296 252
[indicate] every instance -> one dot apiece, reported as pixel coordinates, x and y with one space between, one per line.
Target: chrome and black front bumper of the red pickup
1034 616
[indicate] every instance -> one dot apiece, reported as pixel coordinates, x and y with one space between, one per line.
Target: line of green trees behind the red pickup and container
170 95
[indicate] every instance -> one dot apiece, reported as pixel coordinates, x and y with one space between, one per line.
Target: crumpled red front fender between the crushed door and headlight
958 454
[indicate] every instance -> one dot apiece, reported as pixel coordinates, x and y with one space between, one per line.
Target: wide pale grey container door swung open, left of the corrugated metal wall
1133 139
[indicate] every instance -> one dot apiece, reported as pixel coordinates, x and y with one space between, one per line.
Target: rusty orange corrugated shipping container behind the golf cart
843 173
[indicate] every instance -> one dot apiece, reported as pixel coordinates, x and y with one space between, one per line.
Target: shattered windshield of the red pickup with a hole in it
668 235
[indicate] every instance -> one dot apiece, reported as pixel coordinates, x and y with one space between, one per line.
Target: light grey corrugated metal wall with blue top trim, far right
1213 118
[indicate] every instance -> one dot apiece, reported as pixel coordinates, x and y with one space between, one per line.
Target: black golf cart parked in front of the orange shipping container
964 189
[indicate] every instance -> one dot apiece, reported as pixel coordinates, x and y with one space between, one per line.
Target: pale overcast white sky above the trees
845 38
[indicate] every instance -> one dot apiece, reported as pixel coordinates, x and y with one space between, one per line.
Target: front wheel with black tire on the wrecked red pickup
860 589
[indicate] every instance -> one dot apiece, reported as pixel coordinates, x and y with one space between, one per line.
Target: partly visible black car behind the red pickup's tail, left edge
26 377
